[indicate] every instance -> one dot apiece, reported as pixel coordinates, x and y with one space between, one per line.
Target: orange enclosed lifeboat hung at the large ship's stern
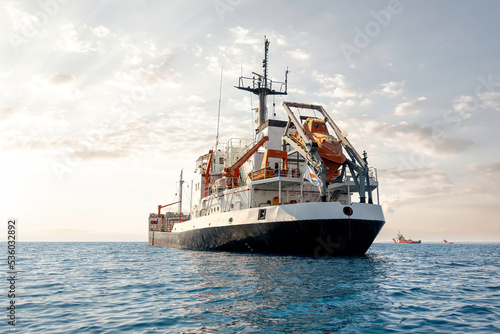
329 148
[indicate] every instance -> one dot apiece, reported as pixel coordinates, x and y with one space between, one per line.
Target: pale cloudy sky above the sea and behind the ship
102 103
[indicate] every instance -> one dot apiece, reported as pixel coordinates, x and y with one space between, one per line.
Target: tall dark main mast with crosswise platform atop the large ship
262 86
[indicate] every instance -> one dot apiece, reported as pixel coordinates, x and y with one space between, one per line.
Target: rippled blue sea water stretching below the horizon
136 288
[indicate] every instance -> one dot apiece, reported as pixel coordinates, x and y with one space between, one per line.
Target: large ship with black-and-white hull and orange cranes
298 187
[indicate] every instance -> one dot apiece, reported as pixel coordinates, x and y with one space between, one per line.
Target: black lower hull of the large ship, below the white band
318 238
